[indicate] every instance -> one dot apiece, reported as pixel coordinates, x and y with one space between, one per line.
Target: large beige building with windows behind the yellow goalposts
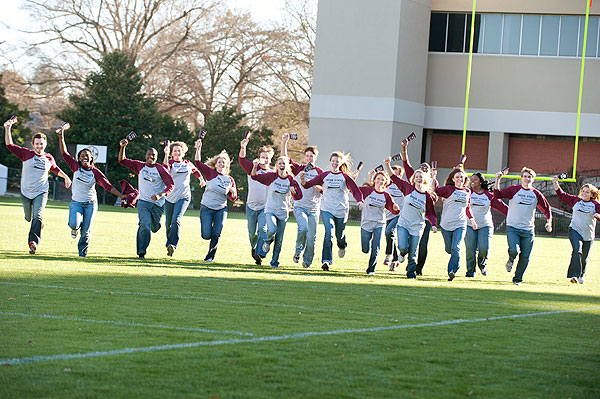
385 68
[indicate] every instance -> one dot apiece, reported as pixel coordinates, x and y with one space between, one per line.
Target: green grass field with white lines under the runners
113 326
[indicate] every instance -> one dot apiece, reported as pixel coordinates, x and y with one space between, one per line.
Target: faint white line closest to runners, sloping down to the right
229 301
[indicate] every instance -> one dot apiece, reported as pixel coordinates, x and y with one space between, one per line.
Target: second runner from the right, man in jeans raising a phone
520 220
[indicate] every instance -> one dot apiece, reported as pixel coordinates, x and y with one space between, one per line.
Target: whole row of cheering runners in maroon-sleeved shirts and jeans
403 210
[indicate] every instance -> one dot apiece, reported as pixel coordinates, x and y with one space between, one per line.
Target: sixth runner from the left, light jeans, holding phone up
257 196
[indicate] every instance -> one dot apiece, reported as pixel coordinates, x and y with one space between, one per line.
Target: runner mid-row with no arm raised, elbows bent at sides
373 215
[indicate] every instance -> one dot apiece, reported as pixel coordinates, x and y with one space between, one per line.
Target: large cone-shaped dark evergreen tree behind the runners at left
111 106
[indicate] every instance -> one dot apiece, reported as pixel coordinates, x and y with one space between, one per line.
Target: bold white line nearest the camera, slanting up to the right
67 356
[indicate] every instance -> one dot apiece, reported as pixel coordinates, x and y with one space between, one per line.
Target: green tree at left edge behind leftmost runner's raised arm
20 133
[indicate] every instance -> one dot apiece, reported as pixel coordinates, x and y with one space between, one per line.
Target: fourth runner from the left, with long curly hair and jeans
177 202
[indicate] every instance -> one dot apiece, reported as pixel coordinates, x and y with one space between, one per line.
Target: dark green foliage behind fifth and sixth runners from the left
224 132
